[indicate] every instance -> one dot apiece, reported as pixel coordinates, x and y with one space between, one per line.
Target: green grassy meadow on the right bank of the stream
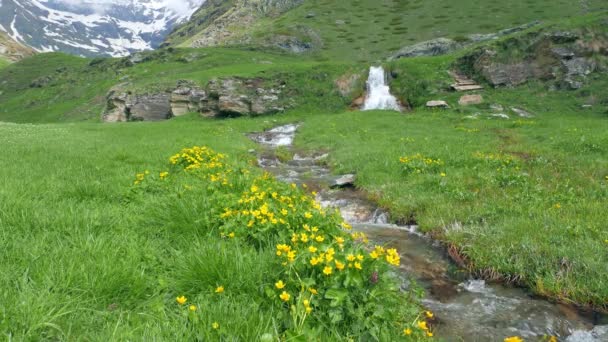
538 221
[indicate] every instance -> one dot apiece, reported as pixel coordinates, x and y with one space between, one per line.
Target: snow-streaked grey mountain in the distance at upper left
93 27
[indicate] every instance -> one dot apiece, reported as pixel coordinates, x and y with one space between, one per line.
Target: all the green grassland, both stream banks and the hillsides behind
104 238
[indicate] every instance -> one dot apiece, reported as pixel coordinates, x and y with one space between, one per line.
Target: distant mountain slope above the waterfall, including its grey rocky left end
361 29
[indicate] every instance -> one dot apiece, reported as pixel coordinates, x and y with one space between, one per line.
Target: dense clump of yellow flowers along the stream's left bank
316 252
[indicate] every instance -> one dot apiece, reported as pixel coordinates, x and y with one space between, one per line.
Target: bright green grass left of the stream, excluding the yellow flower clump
86 257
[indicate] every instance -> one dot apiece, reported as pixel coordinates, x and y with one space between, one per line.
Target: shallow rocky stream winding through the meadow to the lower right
467 309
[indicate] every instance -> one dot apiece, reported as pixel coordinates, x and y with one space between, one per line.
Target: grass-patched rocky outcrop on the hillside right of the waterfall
566 58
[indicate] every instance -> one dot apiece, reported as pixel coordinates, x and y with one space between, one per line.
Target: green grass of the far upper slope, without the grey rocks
372 30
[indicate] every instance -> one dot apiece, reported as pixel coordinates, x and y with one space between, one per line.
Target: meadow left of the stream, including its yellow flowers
99 243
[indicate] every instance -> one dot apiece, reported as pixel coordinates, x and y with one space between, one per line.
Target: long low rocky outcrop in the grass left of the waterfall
227 97
